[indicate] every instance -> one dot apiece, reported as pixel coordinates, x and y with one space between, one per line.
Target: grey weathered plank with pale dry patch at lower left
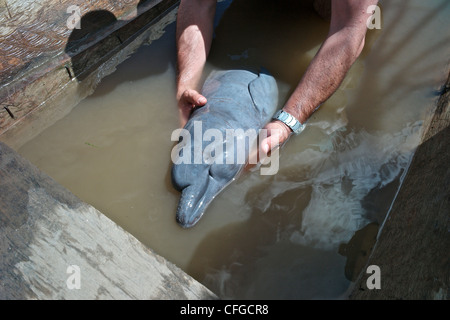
48 237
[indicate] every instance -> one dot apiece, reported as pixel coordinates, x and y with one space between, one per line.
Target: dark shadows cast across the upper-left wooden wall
92 26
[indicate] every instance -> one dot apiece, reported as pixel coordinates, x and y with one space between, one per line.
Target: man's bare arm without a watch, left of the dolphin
194 37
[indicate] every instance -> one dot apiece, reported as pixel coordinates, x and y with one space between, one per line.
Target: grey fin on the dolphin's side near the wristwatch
264 93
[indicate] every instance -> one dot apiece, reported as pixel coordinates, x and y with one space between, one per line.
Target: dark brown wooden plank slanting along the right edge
412 250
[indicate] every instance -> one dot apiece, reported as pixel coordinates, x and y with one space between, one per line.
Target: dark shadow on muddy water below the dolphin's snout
255 259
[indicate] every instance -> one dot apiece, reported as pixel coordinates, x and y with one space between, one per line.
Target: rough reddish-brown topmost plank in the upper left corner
33 32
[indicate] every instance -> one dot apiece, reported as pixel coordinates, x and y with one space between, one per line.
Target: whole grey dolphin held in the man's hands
237 99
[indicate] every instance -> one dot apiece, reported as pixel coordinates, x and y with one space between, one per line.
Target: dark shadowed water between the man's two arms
264 44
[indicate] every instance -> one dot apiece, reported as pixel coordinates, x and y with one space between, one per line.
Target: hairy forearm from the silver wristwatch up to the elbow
325 73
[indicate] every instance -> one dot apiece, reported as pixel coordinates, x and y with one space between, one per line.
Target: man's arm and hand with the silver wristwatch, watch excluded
326 71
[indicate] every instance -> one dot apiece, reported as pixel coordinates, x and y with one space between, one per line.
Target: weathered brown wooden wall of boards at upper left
47 62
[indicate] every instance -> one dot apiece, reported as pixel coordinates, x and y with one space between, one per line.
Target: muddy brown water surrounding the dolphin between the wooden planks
302 233
